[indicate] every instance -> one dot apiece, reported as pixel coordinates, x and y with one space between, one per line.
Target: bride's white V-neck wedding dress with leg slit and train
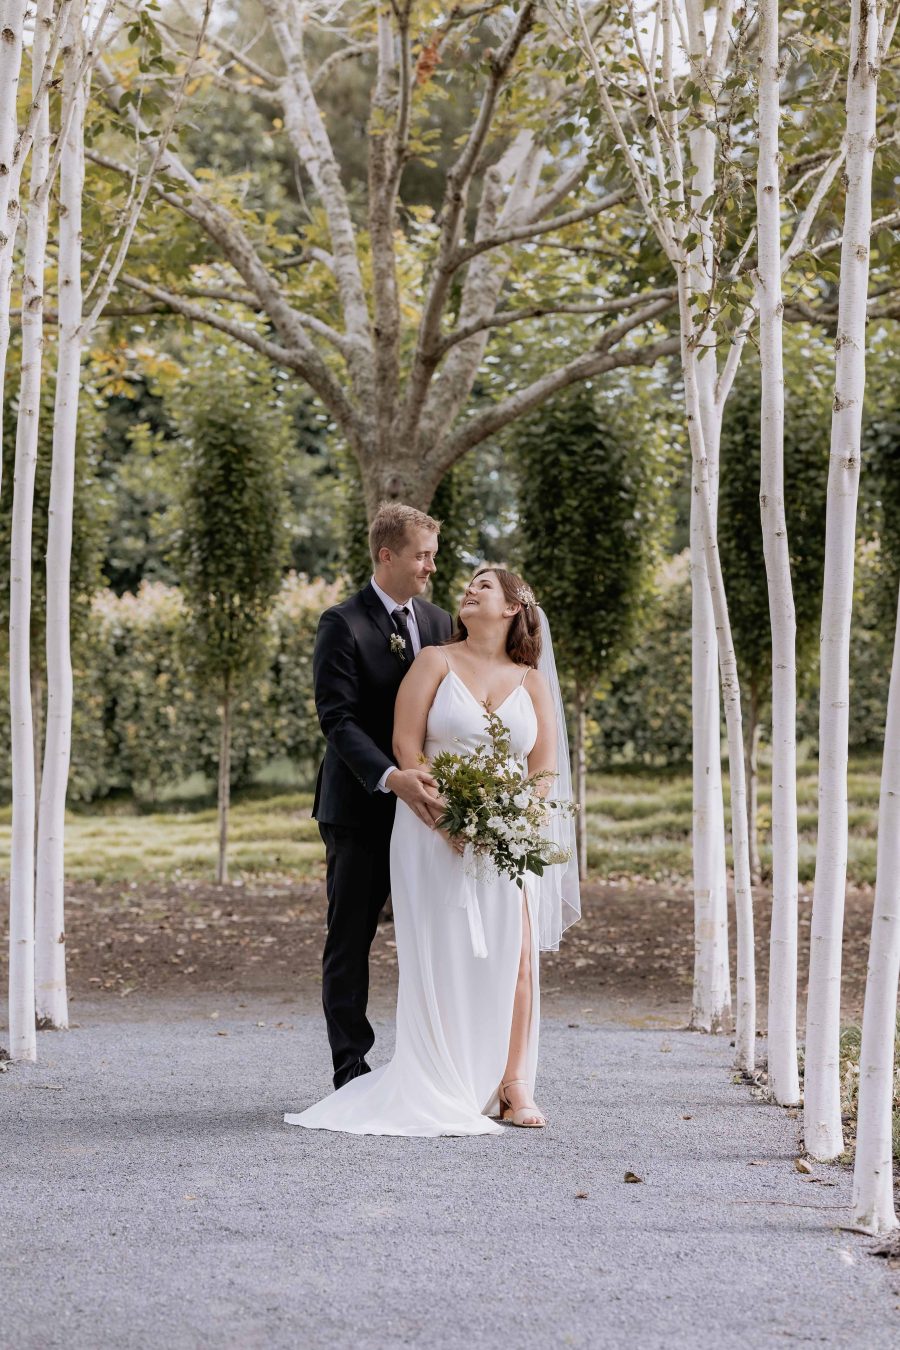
454 1008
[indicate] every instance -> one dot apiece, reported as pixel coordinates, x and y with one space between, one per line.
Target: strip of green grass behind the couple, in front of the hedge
639 826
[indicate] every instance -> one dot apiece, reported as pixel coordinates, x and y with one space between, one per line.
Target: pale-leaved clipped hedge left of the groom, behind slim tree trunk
142 723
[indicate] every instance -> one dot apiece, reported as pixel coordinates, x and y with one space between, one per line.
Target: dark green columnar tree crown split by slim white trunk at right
806 473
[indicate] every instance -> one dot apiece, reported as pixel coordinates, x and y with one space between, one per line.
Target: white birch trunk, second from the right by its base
824 1135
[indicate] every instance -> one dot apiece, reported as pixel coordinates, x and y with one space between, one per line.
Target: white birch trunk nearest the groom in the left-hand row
51 952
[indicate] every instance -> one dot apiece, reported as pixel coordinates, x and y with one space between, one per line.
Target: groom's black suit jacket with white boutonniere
357 677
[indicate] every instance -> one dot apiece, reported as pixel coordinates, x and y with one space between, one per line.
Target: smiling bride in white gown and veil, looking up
468 950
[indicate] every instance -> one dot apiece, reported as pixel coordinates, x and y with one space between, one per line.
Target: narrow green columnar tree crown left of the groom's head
231 543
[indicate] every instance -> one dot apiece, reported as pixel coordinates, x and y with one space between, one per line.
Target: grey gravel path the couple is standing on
153 1198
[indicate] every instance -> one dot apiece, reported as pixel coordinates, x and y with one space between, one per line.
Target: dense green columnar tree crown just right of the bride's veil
593 477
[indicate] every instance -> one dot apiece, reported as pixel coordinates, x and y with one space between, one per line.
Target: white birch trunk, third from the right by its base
785 1079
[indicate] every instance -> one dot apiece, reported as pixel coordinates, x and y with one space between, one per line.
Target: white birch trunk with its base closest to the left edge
22 1015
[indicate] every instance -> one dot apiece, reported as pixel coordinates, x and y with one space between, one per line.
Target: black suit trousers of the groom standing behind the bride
358 884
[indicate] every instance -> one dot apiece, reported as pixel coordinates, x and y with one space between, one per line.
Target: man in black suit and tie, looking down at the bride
364 649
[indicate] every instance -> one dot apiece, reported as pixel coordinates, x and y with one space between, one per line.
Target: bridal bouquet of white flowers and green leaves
499 815
